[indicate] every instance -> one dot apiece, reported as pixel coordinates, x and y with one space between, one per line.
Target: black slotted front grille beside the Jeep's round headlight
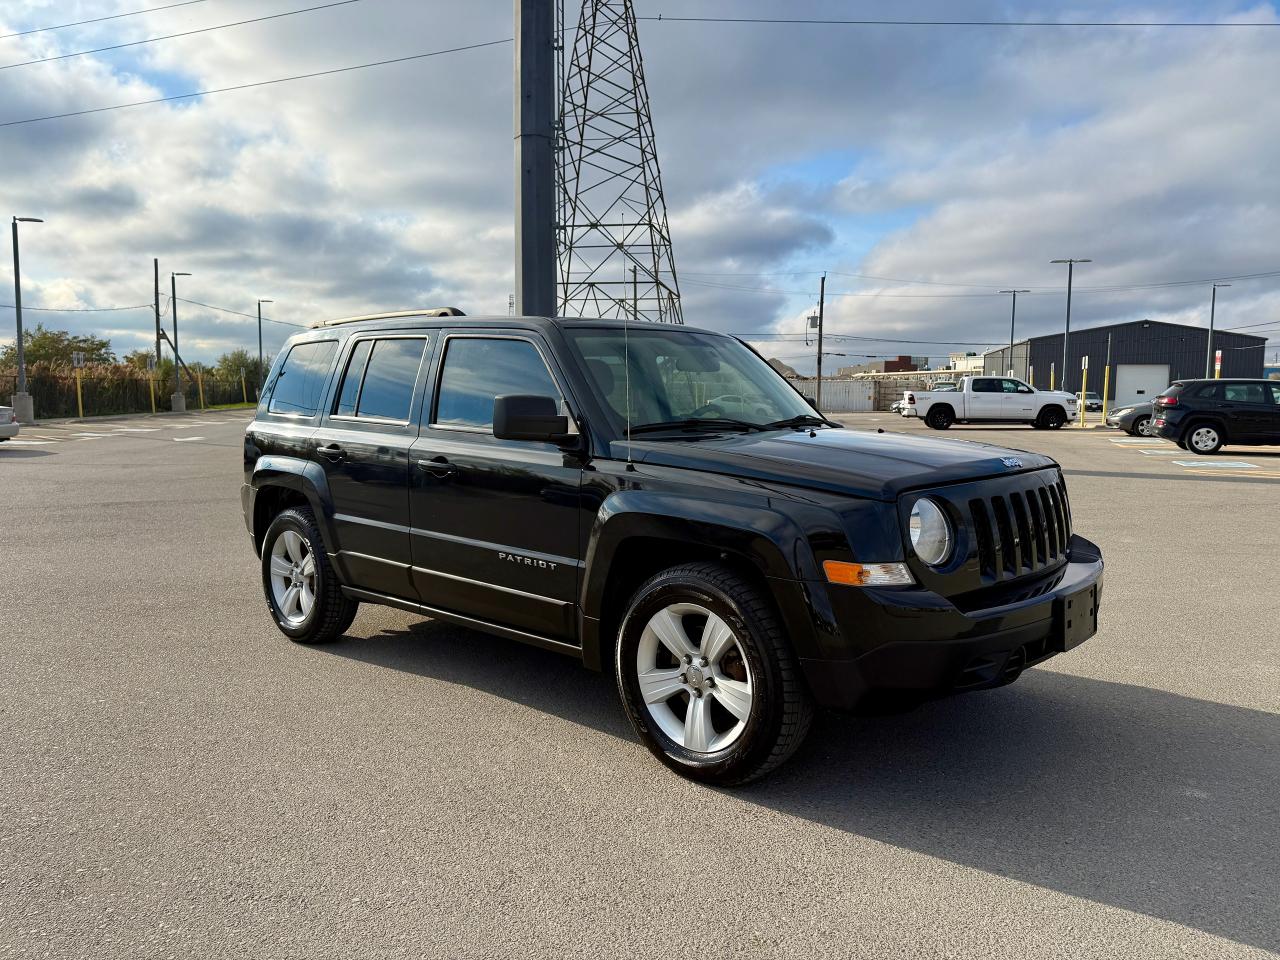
1022 532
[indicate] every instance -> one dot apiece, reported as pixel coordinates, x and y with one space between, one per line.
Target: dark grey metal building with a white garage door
1145 355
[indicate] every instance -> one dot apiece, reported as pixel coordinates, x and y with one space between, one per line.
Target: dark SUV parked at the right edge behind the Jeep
1204 415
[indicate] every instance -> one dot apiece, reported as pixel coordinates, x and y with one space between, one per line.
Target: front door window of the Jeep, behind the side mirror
479 369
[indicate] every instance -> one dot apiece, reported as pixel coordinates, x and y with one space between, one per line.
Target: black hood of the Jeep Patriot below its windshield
858 463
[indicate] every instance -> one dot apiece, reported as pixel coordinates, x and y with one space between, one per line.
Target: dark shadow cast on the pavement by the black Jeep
1119 794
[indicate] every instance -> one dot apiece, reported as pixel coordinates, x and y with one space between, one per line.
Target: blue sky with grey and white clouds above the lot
924 168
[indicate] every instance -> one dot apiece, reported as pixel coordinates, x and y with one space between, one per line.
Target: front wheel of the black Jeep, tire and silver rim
705 609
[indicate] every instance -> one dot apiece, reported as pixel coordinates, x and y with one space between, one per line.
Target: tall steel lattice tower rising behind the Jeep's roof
612 236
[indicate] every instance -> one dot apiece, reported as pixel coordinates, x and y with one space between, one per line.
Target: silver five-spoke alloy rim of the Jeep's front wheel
694 678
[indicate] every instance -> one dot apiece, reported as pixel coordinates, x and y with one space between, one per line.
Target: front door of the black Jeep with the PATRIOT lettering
496 523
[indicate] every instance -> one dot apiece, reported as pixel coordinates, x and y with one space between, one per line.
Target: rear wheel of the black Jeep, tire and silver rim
291 548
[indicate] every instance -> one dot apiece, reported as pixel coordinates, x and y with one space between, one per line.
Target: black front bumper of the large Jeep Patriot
921 646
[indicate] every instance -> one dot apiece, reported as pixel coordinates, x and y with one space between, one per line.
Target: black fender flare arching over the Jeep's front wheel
766 540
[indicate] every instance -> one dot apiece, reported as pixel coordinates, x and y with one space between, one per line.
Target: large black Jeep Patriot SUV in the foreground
655 501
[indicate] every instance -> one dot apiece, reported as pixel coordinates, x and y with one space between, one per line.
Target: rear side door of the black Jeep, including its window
364 446
